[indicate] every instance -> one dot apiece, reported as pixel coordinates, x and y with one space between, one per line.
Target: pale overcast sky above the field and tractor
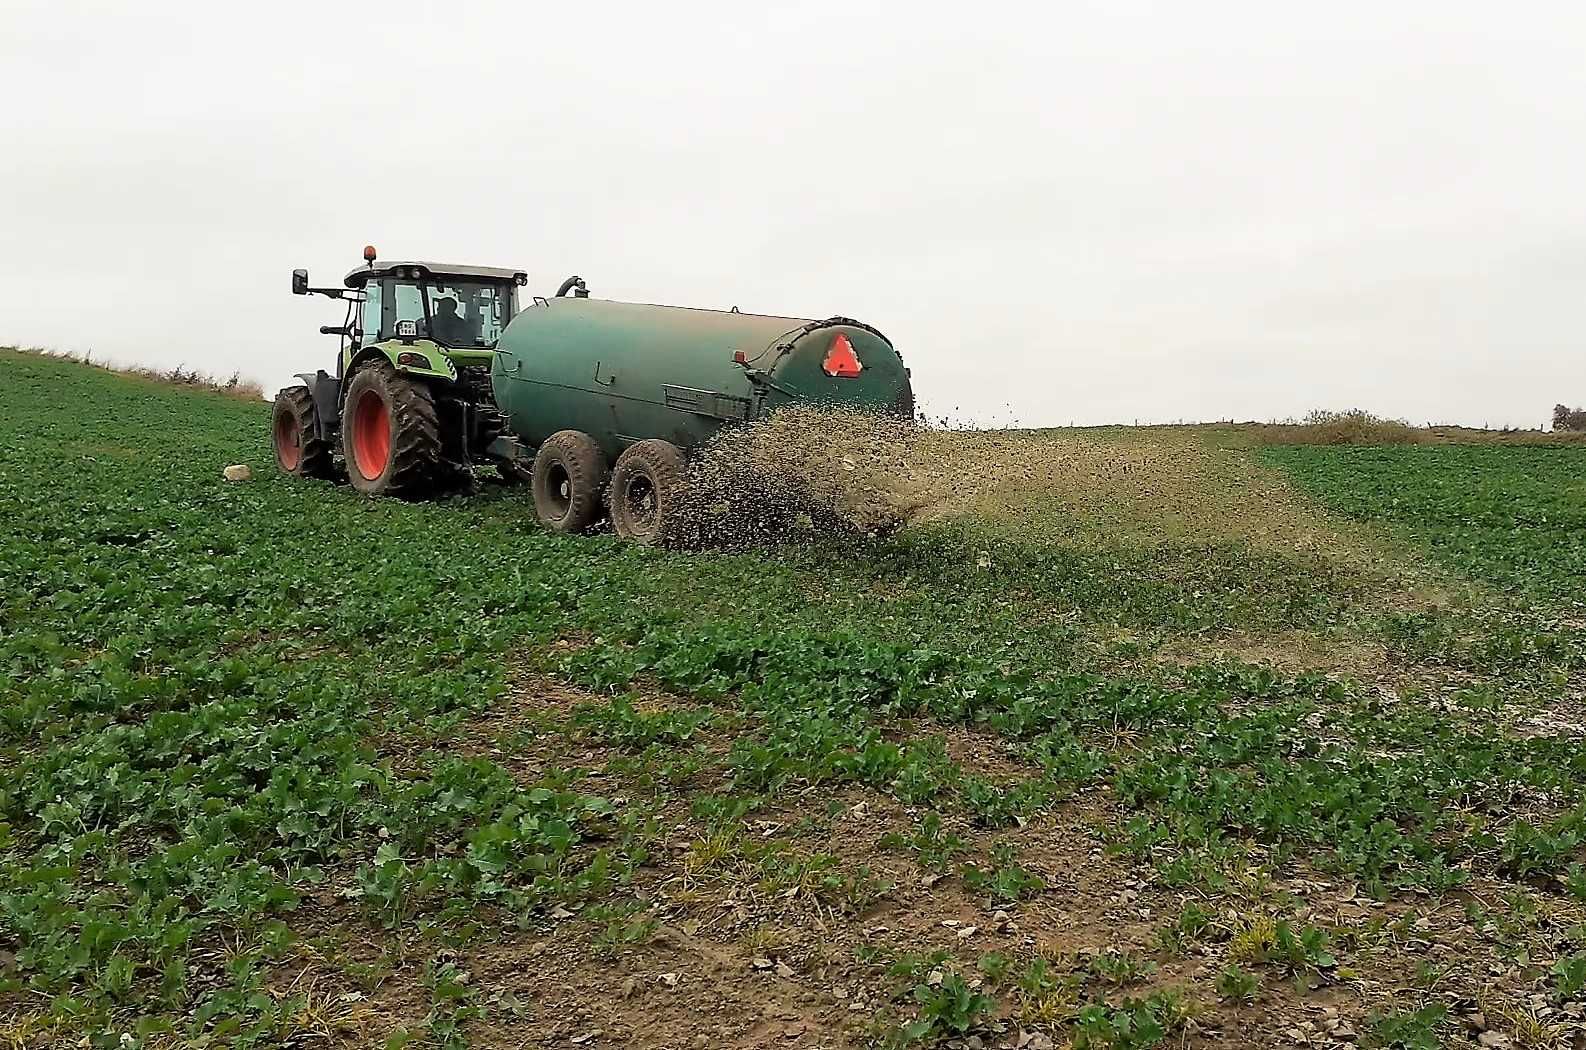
1059 212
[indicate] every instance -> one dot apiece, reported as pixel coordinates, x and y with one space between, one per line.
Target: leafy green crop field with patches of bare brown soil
1165 743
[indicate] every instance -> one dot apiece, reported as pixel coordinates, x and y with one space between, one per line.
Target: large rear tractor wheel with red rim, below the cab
391 434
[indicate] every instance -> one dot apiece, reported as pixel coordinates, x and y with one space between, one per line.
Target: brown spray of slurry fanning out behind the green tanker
811 473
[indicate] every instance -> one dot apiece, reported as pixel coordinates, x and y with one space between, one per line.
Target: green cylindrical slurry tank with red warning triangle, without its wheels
629 372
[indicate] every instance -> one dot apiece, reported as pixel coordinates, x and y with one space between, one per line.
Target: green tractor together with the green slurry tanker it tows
594 402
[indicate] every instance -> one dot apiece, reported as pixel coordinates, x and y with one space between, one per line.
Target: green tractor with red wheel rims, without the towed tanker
410 405
